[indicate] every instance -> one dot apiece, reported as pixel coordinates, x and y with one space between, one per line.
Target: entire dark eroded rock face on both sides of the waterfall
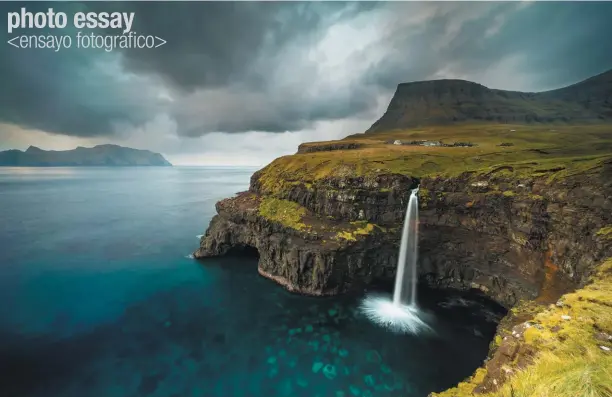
513 238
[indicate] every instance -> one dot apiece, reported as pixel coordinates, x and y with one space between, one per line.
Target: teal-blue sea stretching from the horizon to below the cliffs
98 298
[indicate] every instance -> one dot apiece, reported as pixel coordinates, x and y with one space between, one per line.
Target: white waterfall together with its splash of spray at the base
401 313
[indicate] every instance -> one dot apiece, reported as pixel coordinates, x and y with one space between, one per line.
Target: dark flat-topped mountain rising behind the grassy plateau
443 102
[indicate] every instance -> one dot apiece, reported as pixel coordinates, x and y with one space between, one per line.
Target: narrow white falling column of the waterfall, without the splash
404 292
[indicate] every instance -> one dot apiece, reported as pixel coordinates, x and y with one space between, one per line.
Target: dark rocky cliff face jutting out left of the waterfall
316 261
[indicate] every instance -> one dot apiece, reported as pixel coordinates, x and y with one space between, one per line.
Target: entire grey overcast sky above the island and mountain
243 83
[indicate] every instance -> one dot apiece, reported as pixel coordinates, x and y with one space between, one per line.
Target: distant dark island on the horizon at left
100 155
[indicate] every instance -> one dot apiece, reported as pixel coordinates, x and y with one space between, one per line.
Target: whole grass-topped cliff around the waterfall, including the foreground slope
523 213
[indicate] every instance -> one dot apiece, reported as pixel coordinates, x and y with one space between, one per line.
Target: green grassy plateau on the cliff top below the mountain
529 150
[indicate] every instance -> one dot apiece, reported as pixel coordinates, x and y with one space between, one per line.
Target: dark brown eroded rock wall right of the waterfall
515 239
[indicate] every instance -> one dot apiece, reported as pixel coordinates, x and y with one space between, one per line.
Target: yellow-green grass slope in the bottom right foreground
569 345
